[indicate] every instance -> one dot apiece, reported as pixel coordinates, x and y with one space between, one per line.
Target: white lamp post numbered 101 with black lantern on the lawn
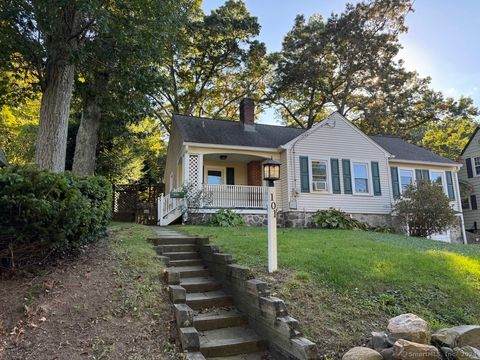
271 173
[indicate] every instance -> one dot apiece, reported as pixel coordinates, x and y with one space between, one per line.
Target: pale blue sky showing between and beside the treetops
443 40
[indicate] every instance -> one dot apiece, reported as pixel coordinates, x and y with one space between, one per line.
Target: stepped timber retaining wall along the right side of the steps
266 314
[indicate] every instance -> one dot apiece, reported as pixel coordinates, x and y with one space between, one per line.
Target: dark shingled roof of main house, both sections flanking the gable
227 132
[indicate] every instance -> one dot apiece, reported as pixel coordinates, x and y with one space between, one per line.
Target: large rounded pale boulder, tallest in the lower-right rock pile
409 327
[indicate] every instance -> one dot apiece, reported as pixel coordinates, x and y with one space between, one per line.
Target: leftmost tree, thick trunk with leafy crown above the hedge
45 38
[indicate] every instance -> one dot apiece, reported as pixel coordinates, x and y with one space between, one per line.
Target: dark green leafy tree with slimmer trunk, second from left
116 73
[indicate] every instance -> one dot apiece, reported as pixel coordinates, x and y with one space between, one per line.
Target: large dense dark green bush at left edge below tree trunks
43 215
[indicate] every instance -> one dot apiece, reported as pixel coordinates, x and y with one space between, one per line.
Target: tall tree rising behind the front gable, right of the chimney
326 65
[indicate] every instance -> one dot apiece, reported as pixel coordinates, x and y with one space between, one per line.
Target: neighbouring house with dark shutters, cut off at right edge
469 177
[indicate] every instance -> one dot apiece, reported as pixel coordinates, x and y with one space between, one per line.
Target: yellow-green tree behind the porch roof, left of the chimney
213 66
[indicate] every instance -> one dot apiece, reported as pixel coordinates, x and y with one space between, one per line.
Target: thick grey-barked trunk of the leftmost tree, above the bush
51 142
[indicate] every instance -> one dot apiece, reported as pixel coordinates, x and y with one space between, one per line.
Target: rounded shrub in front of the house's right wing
425 209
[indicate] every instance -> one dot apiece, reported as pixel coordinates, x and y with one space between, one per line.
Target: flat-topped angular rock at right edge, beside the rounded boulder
458 336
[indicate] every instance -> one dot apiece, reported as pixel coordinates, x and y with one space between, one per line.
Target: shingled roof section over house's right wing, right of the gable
403 150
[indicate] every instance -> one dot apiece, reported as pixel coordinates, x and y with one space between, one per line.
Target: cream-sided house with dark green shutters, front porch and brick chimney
333 164
